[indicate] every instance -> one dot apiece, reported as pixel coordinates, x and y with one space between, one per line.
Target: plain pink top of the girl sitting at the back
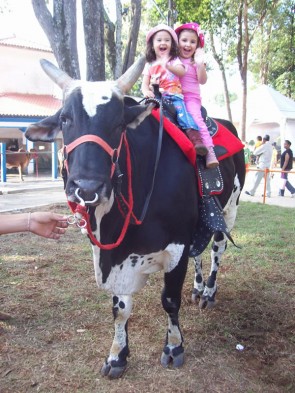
189 82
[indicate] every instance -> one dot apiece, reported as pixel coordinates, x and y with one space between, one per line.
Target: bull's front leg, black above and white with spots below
173 351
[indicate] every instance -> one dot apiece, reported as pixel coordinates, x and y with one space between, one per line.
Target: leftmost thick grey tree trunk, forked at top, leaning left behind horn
60 29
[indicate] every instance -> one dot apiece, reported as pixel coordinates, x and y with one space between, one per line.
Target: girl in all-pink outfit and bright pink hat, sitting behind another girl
191 53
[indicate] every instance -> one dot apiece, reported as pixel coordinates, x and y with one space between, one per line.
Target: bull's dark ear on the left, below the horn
45 130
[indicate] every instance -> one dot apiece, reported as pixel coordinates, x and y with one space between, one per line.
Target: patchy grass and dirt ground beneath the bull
62 325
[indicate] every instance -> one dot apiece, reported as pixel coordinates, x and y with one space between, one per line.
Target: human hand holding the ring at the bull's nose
47 224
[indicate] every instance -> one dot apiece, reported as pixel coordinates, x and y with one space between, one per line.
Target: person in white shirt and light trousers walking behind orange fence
264 152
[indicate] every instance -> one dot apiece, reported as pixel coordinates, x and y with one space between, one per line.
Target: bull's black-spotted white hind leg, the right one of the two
218 248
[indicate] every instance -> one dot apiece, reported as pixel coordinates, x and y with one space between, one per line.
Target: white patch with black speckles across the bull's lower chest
131 275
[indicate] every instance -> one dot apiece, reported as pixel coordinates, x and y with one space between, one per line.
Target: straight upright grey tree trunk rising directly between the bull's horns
93 21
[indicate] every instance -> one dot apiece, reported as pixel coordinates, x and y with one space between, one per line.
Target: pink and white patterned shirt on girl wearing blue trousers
167 81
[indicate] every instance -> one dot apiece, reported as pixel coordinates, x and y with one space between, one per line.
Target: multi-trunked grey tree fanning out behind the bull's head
100 36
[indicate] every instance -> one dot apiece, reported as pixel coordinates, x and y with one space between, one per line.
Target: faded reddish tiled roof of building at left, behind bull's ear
28 105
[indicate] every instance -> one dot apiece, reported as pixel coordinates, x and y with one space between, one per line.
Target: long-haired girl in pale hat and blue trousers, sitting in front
164 68
